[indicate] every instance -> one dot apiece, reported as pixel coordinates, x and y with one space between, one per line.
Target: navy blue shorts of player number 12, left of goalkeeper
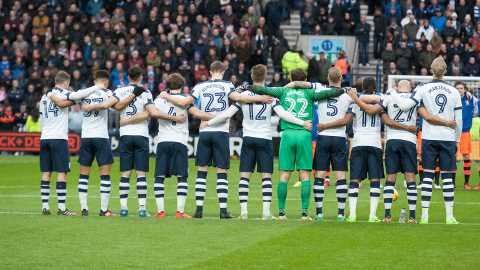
256 151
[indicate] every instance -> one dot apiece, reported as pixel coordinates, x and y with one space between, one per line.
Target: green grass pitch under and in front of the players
31 241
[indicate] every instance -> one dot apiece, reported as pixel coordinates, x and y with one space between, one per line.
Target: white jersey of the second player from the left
95 123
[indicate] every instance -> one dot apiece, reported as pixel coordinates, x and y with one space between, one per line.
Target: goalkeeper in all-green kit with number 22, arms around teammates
296 142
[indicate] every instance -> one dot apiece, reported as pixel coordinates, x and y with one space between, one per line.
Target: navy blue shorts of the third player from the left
134 153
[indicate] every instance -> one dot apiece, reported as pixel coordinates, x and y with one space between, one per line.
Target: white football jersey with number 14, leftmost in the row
53 118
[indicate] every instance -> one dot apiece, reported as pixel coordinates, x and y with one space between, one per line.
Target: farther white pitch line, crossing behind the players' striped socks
22 196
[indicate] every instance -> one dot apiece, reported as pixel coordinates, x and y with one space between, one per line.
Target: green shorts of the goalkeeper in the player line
296 150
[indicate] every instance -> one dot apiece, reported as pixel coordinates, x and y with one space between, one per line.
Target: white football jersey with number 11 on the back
366 128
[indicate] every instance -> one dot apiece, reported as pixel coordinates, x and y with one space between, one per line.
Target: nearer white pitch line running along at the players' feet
30 213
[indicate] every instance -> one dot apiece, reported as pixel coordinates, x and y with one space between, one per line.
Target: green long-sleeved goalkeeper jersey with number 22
298 102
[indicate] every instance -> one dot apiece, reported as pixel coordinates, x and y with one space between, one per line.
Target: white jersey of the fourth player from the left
170 131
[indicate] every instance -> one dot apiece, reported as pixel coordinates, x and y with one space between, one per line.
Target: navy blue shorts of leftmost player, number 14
54 156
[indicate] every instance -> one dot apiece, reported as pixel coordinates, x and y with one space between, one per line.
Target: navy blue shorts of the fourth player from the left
172 159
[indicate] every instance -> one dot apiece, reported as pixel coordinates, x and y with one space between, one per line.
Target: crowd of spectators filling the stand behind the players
40 37
